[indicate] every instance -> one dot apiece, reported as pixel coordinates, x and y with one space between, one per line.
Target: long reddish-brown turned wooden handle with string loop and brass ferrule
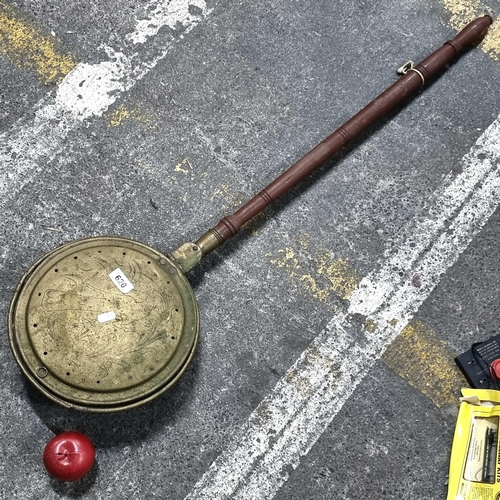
380 106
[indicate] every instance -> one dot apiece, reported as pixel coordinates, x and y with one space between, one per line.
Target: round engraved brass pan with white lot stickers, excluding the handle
103 324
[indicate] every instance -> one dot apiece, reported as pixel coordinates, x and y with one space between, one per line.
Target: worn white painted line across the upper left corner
87 91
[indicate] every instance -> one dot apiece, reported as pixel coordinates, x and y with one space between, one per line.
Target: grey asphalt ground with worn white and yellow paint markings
208 103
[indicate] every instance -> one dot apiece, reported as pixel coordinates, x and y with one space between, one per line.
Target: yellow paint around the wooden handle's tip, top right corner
464 11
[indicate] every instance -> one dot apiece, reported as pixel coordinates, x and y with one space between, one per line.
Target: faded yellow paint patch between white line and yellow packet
424 361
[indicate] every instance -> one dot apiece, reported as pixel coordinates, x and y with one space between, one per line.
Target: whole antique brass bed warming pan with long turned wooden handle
106 324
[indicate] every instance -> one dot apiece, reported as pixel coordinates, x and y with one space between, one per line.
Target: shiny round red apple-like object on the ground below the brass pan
69 456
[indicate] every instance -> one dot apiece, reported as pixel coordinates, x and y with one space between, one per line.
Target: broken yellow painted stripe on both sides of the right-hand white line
417 355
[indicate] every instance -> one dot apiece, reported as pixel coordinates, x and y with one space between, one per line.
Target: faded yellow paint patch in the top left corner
30 49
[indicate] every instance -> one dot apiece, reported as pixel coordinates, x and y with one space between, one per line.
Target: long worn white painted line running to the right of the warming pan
290 420
